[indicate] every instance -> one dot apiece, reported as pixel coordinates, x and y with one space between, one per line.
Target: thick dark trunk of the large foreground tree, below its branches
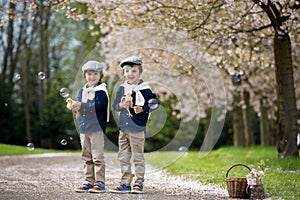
287 111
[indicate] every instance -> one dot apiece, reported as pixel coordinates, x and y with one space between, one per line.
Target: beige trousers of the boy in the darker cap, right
131 145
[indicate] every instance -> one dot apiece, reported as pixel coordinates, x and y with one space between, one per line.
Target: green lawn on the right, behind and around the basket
281 180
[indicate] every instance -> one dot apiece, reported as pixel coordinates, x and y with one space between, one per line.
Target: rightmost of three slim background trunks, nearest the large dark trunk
265 134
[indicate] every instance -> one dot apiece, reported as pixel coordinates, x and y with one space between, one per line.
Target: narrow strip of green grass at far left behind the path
10 150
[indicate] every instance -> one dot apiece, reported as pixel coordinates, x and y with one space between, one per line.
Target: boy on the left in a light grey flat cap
92 112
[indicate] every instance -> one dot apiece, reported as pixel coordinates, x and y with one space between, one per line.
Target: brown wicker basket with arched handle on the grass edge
237 186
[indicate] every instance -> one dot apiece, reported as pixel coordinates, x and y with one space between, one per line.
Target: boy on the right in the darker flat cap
134 113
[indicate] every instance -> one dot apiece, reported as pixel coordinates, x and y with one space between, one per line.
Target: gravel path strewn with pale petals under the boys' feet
54 176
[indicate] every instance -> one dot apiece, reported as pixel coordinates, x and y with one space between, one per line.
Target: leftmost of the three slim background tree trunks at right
238 127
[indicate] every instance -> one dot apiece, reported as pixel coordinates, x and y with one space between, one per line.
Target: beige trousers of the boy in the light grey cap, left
92 156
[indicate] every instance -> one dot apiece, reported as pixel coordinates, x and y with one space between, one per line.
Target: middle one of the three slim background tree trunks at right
247 120
